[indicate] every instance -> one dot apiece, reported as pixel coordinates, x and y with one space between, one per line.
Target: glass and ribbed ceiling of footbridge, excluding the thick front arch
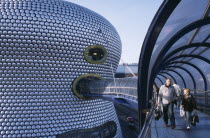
182 49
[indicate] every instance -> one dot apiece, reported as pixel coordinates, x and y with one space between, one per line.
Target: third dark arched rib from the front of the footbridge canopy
183 48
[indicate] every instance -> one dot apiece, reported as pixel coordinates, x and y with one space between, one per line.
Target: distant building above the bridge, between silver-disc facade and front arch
126 70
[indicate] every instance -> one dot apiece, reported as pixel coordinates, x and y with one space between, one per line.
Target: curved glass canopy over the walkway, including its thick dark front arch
177 46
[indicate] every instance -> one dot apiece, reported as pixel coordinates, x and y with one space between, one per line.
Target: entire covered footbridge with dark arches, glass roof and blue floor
177 46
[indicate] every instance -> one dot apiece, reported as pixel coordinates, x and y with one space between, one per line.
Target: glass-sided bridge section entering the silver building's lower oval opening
123 87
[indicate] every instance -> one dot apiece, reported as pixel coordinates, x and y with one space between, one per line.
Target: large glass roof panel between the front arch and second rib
185 13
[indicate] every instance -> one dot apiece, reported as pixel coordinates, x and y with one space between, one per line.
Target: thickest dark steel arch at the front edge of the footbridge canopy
154 30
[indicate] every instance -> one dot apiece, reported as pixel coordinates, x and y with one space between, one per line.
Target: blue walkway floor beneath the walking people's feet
201 130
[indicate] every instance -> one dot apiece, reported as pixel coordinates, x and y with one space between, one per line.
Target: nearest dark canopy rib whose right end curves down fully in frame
197 68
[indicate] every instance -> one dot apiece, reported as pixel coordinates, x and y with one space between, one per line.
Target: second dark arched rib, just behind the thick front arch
169 44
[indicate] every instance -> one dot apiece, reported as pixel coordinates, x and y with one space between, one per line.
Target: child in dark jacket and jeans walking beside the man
189 104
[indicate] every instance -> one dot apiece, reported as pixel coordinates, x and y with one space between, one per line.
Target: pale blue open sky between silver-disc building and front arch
131 18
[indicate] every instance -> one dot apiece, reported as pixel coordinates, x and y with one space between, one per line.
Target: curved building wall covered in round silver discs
42 52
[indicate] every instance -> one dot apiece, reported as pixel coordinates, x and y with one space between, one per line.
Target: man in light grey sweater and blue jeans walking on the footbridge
167 96
